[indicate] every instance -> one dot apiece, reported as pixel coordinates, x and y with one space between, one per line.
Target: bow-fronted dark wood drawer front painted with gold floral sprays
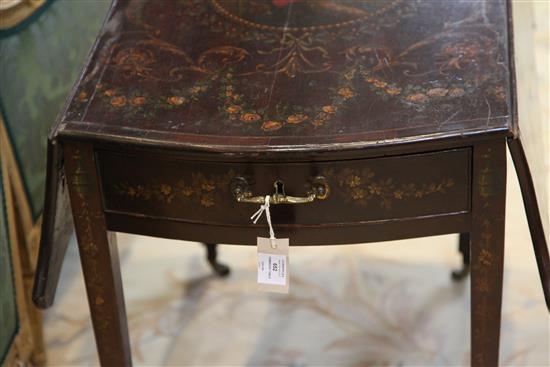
360 190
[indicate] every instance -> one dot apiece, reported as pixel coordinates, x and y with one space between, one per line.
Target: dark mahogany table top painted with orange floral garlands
288 74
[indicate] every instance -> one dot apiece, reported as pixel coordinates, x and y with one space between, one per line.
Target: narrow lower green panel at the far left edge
8 308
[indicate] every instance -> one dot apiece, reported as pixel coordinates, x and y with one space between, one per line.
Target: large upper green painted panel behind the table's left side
38 65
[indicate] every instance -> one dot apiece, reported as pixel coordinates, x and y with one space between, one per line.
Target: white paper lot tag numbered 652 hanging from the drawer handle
273 265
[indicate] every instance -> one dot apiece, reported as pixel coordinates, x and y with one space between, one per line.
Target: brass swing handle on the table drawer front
241 190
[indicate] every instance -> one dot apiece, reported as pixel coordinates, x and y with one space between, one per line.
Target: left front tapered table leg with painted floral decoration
99 257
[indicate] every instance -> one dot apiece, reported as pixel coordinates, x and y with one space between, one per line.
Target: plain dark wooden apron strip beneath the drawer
386 230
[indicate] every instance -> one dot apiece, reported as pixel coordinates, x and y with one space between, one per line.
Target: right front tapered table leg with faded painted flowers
487 250
